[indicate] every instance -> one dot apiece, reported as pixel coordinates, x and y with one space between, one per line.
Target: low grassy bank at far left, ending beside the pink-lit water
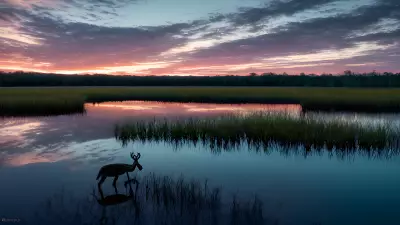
43 106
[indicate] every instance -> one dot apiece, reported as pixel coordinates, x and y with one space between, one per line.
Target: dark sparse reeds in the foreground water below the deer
157 200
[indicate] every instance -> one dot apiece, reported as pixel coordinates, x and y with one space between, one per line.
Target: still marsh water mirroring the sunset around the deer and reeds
43 156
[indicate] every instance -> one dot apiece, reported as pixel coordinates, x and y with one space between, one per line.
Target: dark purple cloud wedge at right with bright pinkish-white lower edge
319 39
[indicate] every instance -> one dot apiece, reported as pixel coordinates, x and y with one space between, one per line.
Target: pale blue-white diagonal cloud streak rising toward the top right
227 30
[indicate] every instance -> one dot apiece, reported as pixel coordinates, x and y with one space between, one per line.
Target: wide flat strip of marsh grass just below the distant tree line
314 99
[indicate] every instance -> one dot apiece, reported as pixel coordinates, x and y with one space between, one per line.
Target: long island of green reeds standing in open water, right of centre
259 130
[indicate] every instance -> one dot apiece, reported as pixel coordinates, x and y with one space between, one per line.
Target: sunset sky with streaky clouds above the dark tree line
199 37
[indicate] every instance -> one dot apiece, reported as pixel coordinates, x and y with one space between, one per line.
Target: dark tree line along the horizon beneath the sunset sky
347 79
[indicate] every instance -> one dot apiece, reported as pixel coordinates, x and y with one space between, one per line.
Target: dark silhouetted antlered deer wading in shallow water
117 169
